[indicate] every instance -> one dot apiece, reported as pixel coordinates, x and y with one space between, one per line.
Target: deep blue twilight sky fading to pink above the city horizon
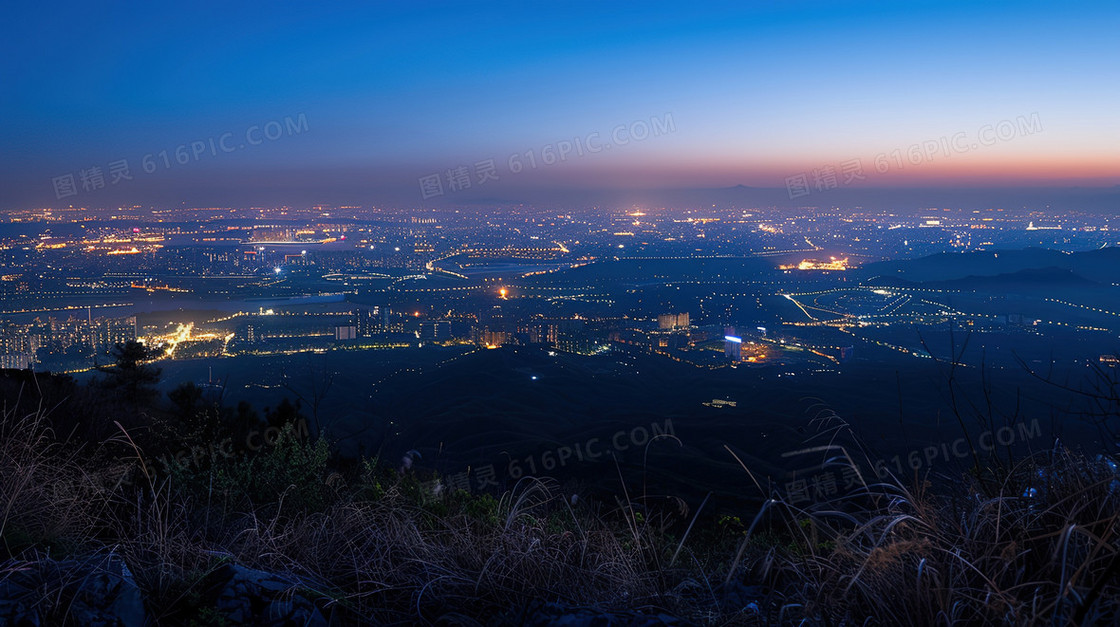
382 96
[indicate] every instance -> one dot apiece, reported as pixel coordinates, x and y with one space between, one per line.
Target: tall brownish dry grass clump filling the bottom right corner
1039 547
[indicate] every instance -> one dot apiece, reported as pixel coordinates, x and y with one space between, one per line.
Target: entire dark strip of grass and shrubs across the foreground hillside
1037 544
